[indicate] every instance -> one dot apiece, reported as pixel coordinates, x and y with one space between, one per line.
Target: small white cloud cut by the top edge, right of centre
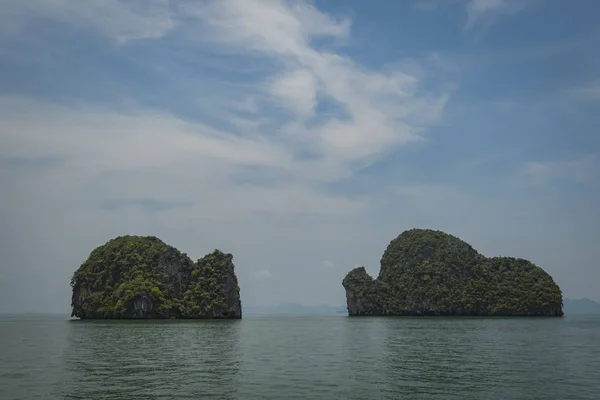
486 12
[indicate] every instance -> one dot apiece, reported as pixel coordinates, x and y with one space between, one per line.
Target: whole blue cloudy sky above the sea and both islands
300 136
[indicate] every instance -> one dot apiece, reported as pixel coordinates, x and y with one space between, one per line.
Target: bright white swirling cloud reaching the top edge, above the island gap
384 109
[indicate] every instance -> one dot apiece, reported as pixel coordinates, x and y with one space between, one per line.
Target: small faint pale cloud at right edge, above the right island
579 170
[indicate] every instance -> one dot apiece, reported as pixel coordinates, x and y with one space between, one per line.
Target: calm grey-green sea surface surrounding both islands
301 357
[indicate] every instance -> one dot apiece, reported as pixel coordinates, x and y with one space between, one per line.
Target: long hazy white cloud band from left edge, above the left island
135 139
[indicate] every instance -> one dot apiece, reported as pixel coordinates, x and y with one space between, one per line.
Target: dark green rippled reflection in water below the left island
150 359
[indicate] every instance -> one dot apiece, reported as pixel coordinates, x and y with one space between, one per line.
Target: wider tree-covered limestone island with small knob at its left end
428 272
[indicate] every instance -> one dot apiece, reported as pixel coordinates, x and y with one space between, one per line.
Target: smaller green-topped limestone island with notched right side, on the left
133 277
